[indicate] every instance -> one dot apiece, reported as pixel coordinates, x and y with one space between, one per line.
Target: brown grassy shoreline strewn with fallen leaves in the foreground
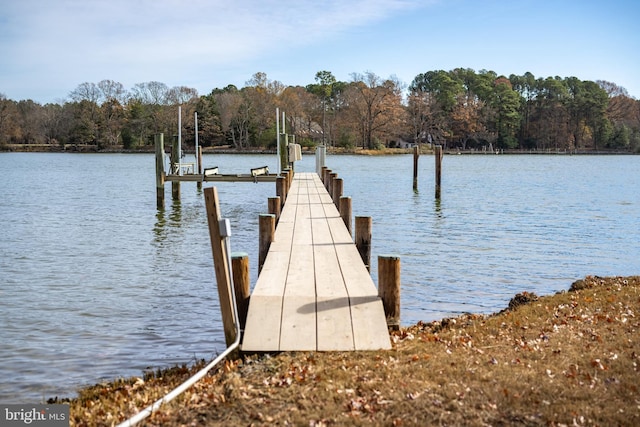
572 358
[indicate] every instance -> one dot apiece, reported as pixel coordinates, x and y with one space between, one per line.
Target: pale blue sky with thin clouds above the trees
49 47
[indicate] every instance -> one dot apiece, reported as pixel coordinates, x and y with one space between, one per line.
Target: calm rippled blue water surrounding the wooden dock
96 283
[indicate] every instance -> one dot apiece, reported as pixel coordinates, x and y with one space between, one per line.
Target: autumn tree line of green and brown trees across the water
460 108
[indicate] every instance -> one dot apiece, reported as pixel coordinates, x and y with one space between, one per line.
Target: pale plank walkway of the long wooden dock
314 292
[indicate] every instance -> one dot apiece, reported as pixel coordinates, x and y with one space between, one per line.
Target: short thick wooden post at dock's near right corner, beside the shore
389 288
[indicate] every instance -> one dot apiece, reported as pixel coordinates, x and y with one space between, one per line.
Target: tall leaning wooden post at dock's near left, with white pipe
221 264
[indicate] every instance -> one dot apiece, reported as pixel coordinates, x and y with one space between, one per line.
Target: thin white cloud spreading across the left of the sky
74 41
